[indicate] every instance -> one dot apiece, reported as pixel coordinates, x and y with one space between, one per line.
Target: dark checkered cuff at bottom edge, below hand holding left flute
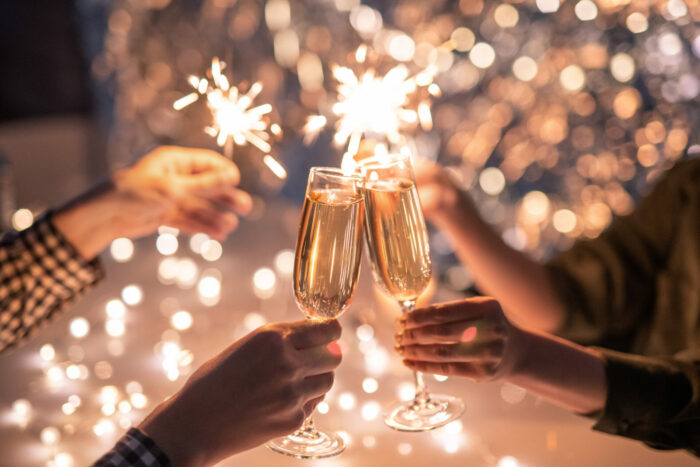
134 449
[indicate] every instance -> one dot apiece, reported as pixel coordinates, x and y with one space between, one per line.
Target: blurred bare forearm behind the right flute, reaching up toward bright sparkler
521 285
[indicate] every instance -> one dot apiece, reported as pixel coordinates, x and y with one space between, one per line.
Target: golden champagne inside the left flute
328 252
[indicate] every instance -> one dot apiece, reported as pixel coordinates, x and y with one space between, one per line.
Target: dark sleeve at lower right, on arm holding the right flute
645 395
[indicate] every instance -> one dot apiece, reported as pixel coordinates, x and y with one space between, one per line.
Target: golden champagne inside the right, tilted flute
397 238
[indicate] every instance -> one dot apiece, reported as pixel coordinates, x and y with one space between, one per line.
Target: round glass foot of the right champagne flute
437 410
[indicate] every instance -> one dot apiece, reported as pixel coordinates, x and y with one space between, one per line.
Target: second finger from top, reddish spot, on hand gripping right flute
446 333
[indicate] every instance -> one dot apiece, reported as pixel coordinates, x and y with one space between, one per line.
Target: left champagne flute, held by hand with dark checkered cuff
326 268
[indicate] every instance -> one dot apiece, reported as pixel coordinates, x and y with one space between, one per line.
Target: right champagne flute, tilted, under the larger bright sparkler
398 246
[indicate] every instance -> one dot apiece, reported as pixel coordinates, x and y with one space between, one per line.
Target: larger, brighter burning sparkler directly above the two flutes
371 105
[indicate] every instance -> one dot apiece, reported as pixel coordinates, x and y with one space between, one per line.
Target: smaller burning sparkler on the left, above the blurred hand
234 120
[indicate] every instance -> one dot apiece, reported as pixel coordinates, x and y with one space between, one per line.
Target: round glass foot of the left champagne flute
308 444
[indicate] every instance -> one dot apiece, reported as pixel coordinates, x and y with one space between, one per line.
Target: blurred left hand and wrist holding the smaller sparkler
189 189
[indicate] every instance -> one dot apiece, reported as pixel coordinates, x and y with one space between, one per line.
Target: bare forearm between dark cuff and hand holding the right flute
564 373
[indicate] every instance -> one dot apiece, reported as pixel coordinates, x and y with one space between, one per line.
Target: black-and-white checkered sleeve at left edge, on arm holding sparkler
40 273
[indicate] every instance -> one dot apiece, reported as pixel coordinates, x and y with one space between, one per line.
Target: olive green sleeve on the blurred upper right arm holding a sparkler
608 284
